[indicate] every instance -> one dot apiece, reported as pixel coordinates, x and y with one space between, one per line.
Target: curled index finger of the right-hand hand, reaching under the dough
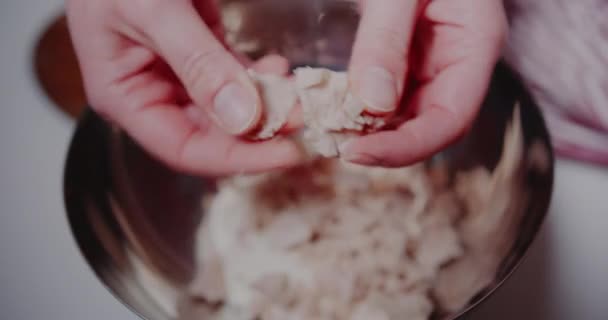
455 72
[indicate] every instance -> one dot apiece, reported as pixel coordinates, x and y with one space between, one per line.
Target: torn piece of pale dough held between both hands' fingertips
330 111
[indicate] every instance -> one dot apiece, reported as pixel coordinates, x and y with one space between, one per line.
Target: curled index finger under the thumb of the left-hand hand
202 148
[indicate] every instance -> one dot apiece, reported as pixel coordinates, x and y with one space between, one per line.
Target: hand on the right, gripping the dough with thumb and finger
448 48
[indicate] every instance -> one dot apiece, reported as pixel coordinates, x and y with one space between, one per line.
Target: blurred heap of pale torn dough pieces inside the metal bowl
332 240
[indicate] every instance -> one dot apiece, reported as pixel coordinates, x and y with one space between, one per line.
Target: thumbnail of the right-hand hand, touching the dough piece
378 90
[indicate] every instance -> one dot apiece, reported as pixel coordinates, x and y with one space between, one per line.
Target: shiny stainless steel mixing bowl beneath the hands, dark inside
135 219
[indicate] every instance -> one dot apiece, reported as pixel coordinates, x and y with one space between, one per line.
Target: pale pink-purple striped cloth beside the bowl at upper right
560 48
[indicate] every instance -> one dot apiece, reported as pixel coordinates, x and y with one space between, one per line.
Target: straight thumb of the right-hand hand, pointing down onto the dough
379 60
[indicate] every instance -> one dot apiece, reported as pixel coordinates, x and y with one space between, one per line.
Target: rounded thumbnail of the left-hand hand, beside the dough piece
235 108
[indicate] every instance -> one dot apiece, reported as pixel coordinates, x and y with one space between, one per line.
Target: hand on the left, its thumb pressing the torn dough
158 70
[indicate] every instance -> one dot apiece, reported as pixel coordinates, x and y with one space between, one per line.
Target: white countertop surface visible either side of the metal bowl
43 276
